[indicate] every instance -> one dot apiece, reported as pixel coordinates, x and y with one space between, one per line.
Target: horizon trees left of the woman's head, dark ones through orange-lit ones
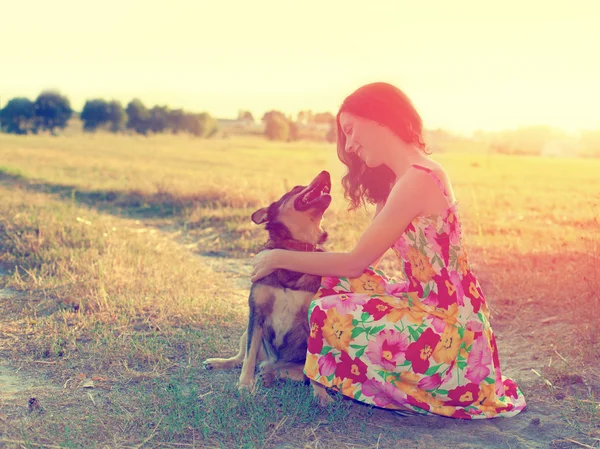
51 111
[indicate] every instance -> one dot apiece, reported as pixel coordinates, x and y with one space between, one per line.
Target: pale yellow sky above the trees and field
466 64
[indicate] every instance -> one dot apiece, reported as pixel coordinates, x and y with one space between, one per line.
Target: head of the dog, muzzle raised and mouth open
297 215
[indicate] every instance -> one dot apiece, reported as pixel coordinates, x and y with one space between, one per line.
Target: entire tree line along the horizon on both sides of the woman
51 111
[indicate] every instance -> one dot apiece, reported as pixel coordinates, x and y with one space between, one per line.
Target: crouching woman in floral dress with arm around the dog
422 343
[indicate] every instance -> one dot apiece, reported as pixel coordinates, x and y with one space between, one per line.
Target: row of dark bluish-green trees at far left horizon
51 111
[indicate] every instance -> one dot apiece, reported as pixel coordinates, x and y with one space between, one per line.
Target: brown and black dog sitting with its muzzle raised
278 328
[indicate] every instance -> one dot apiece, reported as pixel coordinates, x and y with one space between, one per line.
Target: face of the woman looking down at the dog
364 138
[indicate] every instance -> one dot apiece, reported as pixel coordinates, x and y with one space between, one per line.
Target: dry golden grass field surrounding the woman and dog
124 263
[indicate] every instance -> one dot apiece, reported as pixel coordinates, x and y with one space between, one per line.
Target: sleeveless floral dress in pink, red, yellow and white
422 342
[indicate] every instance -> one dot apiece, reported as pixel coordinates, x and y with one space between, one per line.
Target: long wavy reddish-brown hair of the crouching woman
389 106
